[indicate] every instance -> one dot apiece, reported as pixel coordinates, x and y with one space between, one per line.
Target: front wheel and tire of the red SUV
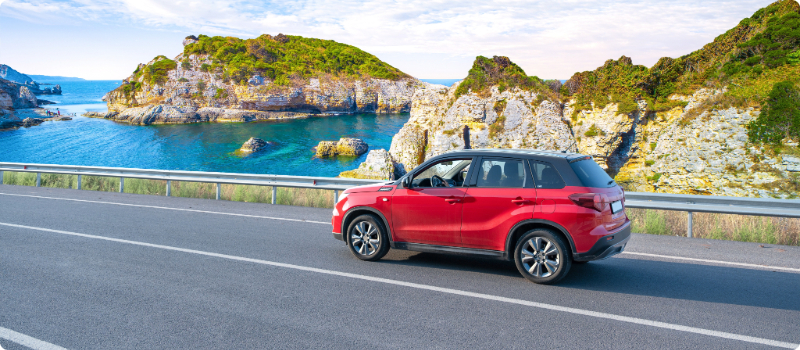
367 238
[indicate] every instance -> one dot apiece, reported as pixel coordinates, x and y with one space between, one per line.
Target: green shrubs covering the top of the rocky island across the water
282 57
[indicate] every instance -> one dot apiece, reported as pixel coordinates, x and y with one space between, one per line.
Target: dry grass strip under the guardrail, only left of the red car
307 197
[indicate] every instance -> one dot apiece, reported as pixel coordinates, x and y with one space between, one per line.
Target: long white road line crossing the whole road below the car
570 310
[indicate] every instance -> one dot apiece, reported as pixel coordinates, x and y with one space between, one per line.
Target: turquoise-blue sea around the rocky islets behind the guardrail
197 147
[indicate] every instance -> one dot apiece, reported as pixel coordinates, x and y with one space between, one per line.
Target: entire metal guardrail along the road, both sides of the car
639 200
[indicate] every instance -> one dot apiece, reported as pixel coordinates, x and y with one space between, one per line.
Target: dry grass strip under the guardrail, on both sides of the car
767 230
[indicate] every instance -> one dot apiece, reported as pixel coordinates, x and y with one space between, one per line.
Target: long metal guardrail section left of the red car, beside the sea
323 183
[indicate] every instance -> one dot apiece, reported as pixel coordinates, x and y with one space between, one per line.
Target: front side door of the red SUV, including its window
427 214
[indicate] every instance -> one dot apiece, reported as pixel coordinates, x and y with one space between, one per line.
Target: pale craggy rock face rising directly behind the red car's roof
510 119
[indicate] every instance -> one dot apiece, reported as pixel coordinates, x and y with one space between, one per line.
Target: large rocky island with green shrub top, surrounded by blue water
229 79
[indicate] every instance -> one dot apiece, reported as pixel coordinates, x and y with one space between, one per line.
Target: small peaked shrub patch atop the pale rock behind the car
498 71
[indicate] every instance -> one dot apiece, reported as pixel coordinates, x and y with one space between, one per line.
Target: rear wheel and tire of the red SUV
542 257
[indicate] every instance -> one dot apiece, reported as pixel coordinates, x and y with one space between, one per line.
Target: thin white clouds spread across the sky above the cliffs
547 38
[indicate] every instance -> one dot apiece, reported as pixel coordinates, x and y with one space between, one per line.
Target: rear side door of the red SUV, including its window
500 194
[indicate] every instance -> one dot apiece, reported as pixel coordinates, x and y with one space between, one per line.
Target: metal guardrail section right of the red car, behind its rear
789 208
